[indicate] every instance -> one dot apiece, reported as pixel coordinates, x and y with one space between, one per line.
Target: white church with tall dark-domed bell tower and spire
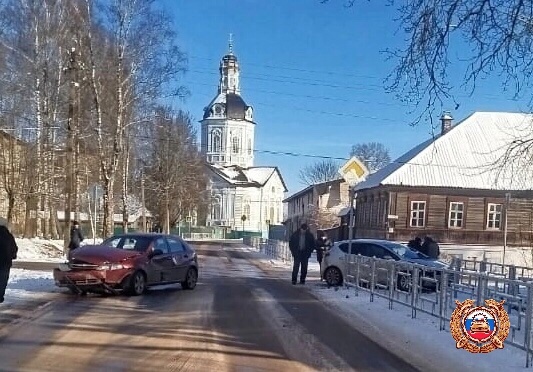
244 197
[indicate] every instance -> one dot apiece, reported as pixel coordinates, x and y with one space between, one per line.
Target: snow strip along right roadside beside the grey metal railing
398 331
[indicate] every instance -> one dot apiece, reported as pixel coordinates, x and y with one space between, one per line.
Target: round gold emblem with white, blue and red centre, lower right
479 329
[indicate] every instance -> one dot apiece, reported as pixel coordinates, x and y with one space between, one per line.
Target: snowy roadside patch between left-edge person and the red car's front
27 284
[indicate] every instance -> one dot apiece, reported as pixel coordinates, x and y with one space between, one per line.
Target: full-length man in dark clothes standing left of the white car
301 244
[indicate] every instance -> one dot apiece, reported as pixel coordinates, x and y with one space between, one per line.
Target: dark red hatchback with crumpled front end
130 263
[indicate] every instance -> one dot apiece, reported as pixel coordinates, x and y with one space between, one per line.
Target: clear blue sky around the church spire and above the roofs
314 74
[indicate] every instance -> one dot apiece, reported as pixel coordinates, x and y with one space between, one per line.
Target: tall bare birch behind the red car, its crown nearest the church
144 58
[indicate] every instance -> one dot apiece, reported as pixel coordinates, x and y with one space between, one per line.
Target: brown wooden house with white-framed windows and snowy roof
468 185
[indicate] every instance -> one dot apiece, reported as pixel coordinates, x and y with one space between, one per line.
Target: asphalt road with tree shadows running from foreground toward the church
239 318
